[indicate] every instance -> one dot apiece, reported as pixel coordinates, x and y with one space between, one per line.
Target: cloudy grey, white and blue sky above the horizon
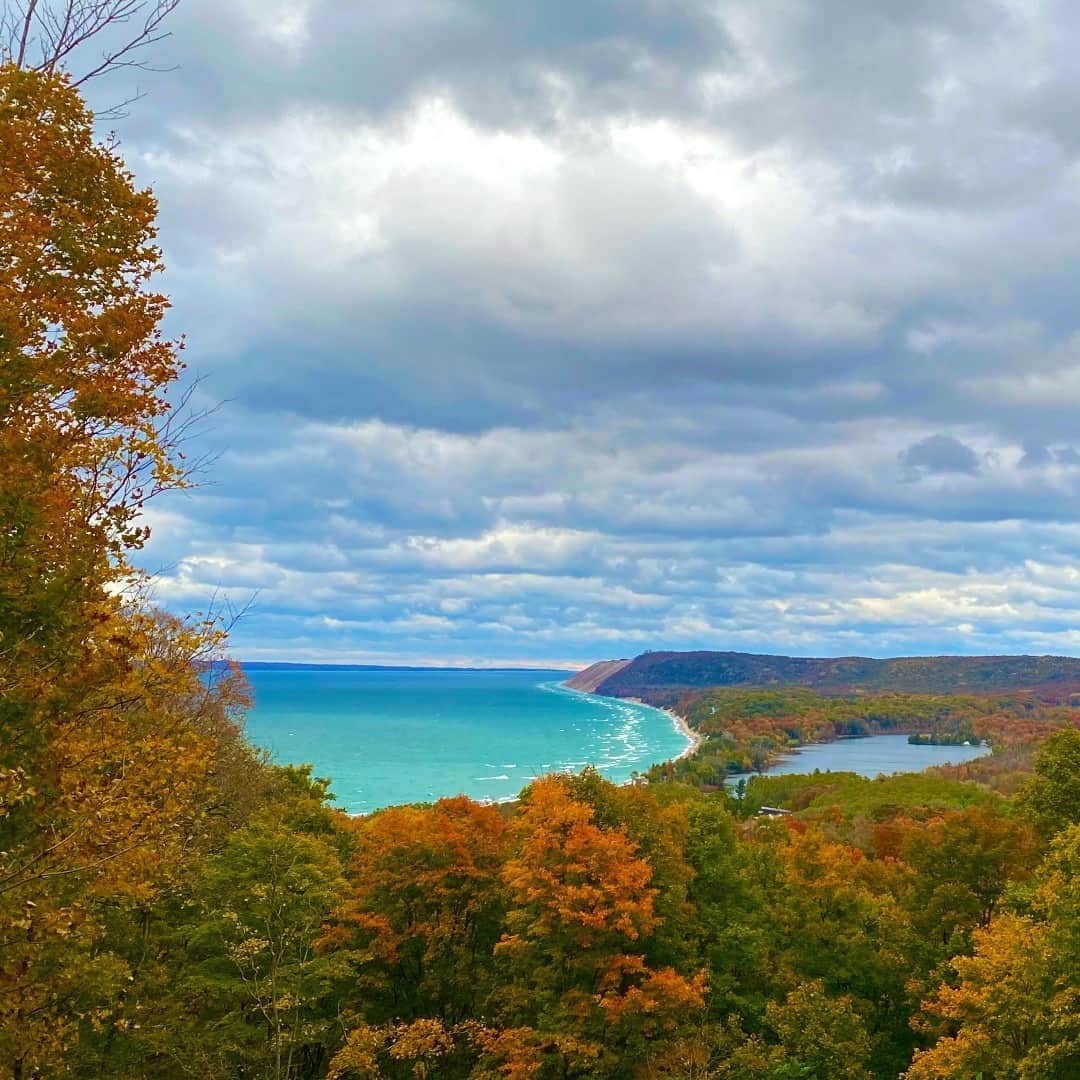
549 332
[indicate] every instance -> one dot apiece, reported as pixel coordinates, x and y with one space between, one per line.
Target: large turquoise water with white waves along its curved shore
390 737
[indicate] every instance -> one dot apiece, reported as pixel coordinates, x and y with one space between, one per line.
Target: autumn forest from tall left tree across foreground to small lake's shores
172 906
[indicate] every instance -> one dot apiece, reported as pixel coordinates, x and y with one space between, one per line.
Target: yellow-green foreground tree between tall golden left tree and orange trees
248 994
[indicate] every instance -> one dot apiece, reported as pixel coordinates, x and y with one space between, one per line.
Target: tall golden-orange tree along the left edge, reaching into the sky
111 742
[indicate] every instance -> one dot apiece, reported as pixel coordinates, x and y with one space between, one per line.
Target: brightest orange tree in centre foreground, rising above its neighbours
583 908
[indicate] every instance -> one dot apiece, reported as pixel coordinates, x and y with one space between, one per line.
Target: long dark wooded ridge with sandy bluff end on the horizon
660 678
